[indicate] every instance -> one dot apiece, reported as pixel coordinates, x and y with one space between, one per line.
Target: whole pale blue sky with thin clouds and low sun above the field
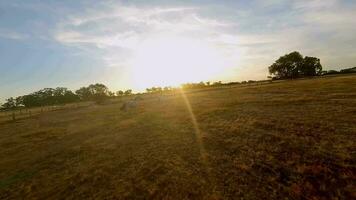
137 44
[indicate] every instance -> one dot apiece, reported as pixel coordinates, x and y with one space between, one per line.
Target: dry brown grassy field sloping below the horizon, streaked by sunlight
291 139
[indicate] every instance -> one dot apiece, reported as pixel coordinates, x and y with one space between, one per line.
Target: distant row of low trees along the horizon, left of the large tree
95 92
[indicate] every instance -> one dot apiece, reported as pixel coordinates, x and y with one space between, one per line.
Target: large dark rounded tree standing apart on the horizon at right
293 65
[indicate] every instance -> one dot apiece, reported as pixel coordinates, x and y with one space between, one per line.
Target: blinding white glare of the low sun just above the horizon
170 61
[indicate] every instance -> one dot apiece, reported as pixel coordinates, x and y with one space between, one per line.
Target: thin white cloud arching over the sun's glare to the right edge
253 40
